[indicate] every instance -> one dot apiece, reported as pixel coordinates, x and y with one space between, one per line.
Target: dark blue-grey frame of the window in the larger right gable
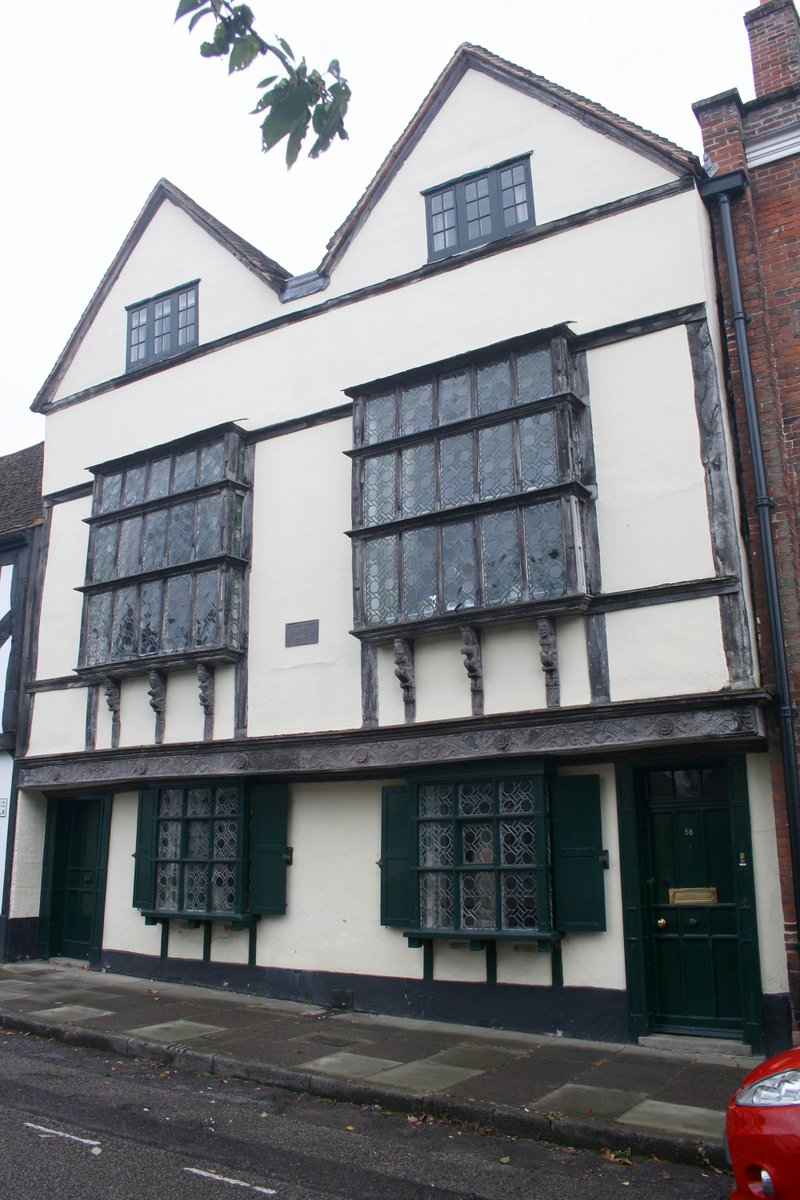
460 189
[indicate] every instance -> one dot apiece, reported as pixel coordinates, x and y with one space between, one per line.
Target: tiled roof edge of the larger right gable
477 58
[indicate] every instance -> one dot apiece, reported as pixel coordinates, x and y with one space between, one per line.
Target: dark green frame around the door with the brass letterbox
634 857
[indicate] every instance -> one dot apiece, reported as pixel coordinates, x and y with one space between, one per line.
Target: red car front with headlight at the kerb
763 1131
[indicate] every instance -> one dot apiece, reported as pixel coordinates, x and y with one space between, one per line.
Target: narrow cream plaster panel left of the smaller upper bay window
59 639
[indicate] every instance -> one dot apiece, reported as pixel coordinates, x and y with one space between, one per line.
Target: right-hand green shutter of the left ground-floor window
269 807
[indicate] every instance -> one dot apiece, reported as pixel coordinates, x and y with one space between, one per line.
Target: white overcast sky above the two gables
104 98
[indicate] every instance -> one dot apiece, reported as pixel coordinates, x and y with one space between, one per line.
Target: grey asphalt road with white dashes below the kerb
80 1125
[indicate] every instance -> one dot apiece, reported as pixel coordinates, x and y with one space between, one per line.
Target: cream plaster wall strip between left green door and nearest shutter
124 928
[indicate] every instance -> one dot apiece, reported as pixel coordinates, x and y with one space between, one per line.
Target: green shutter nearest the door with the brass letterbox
579 893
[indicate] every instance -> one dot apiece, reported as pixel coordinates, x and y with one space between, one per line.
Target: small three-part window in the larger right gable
479 208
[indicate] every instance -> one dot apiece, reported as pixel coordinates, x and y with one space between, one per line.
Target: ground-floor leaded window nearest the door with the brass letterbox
483 856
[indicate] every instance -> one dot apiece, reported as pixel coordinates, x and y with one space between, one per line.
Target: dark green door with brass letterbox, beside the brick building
691 916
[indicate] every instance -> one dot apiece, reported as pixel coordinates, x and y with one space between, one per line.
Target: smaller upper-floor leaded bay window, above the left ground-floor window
166 572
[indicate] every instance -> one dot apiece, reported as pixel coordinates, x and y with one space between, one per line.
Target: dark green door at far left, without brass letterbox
76 877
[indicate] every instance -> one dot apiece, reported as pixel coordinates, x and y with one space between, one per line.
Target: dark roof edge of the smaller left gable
267 269
